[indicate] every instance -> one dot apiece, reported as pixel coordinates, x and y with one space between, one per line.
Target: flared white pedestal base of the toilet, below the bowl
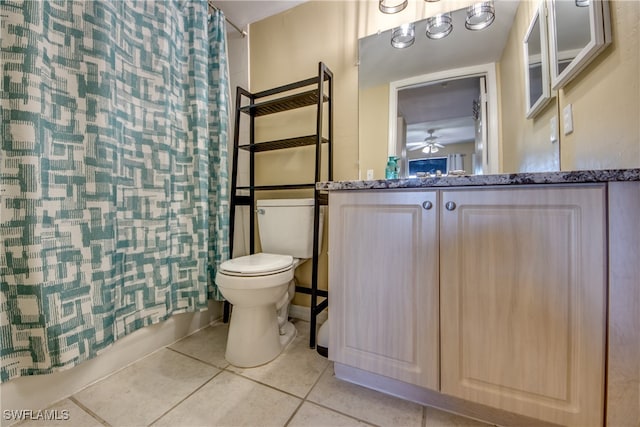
254 336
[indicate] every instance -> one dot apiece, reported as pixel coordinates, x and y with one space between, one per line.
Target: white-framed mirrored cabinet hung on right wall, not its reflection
578 31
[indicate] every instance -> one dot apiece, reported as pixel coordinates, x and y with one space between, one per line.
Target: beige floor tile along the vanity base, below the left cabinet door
365 404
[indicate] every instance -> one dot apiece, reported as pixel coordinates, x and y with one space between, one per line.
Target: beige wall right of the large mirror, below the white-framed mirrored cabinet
606 100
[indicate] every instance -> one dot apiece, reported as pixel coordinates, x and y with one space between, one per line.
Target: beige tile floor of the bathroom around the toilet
189 383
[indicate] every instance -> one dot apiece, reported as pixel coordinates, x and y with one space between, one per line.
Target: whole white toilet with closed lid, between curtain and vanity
260 286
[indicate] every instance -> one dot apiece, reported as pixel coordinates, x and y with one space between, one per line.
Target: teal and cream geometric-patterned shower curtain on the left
113 173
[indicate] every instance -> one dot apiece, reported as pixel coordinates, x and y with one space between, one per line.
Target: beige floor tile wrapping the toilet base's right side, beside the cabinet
295 371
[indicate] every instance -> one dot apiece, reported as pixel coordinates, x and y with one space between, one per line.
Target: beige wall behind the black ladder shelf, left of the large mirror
287 48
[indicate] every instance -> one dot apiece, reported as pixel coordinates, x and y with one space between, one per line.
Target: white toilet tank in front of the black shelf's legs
285 226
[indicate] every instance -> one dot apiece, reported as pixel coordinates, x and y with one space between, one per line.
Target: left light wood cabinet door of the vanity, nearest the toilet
383 279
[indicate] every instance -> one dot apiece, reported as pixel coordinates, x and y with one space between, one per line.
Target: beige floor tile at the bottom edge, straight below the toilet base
230 400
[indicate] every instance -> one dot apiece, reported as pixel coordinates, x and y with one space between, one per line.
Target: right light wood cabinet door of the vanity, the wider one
523 297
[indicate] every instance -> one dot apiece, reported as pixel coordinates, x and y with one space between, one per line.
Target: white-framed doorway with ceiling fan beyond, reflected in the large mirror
444 114
